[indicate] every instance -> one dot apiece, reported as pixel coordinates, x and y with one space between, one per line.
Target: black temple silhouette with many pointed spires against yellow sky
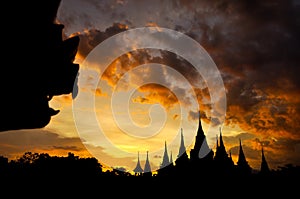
202 160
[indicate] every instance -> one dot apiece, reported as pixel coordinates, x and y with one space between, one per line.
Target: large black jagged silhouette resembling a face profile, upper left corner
40 64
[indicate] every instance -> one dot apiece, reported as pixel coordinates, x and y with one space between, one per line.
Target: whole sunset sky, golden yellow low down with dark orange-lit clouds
245 82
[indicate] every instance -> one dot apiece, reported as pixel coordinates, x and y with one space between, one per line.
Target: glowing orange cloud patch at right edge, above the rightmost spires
274 116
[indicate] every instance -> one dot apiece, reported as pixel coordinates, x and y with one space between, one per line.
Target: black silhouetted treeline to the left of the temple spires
43 165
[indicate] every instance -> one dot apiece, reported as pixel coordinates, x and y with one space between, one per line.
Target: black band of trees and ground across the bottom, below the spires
42 175
